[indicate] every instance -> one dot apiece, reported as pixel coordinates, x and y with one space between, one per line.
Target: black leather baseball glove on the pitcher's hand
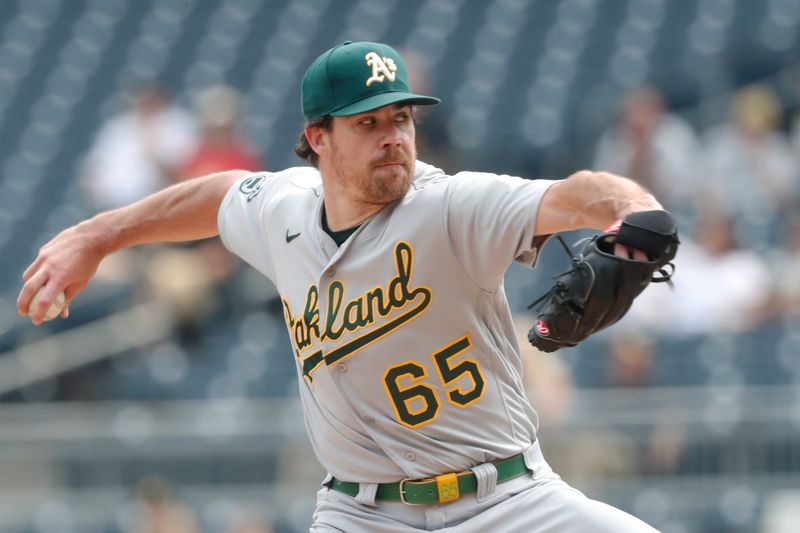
600 287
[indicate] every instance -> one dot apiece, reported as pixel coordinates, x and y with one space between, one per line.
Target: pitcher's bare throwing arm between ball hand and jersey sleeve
183 212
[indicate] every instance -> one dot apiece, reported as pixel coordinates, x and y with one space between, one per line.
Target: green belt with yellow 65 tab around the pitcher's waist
426 492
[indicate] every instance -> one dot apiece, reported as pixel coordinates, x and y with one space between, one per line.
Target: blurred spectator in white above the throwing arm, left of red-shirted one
139 151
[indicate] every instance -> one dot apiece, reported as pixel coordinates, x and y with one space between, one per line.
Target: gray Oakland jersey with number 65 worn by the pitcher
402 335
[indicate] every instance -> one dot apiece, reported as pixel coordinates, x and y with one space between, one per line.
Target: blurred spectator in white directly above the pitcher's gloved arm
652 146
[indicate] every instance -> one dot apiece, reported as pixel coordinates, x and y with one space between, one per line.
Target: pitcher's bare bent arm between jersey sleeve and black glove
589 199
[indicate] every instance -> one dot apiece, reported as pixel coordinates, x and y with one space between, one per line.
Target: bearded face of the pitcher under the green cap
370 157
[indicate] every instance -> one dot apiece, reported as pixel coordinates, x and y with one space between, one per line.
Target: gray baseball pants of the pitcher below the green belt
539 502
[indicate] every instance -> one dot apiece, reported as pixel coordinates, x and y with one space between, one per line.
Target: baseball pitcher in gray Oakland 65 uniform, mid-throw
390 274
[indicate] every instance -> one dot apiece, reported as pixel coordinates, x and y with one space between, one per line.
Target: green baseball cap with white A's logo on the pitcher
354 78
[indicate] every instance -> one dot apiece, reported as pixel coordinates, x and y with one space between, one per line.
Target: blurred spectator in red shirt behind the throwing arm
219 109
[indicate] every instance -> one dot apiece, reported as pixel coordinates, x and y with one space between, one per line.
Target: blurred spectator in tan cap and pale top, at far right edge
751 169
